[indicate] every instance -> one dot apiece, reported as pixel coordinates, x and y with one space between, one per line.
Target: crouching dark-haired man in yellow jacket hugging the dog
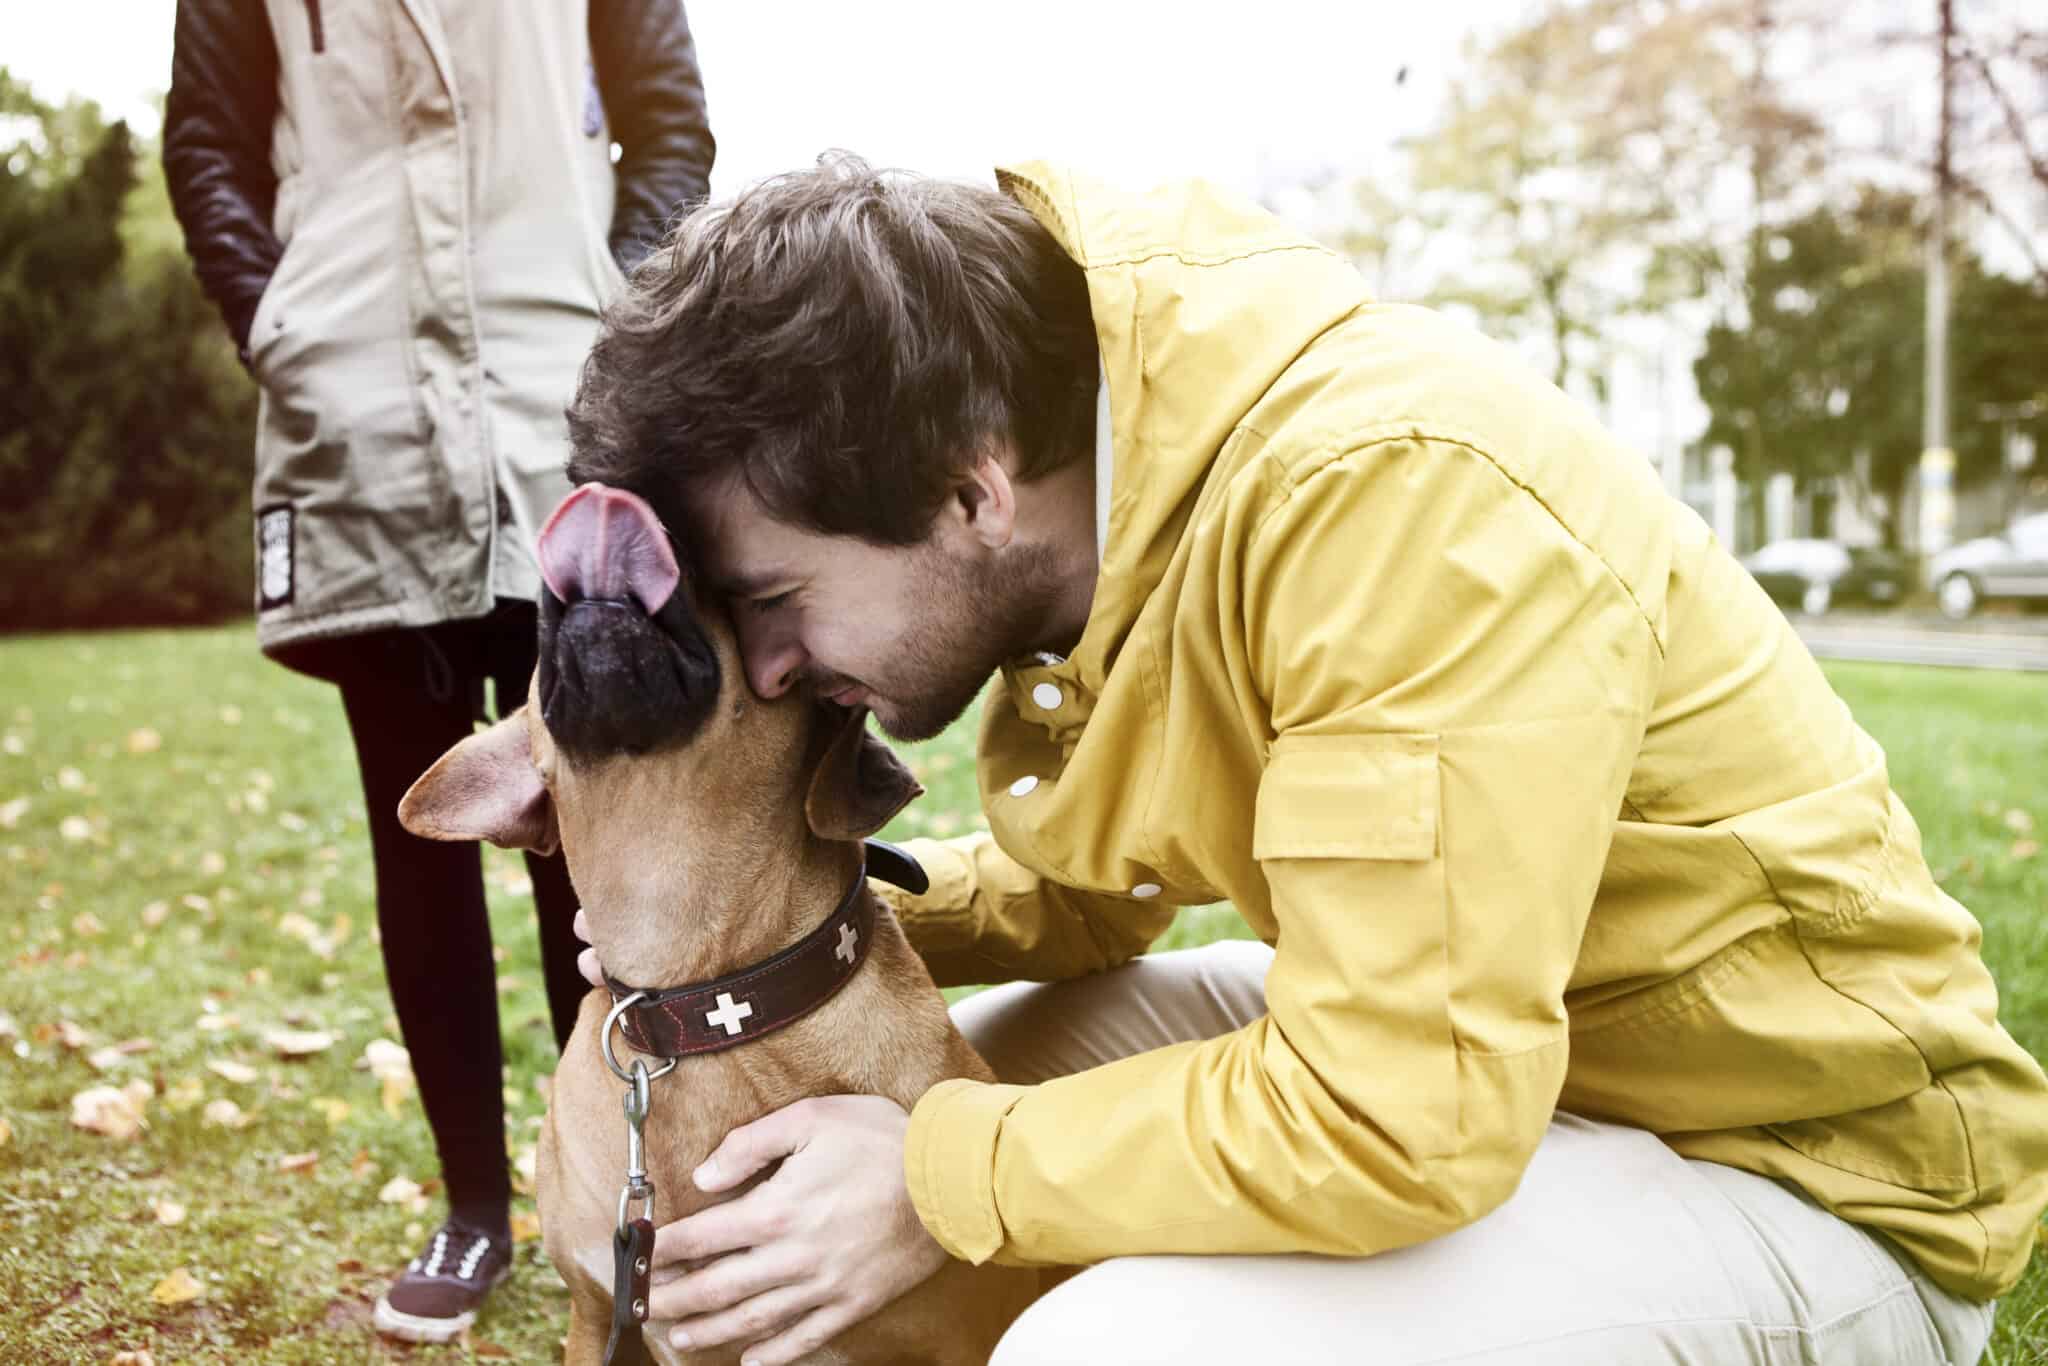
1611 1013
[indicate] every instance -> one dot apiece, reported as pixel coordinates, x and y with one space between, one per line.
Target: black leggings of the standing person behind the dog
411 695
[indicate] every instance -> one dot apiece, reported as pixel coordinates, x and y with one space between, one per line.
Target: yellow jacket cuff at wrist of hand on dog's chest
949 1162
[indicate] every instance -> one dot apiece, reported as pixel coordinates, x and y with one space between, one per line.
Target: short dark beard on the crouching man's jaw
976 624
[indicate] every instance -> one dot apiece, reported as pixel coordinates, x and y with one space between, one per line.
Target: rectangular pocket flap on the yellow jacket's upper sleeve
1349 798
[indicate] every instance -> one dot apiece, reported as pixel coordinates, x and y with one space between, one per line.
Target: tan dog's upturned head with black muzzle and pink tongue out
640 726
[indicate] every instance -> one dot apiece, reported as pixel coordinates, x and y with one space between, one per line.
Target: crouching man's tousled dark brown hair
845 343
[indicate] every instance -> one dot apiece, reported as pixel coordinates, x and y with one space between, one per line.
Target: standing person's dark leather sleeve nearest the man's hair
654 101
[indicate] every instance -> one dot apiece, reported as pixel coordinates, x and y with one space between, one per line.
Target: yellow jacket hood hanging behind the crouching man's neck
1201 300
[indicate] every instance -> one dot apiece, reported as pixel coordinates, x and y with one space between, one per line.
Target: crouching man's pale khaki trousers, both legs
1615 1250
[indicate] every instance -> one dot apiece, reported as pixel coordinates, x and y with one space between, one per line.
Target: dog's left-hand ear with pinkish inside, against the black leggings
484 789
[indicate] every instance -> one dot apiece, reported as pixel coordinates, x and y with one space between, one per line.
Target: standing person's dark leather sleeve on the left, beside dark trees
218 153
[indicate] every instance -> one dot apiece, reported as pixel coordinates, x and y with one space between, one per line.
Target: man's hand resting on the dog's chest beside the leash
810 1252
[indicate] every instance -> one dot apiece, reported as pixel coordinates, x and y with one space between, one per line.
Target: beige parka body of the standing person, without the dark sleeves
445 189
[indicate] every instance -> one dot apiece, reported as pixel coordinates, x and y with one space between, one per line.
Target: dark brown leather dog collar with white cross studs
763 998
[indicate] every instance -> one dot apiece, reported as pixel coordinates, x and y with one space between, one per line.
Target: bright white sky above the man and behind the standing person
1256 95
